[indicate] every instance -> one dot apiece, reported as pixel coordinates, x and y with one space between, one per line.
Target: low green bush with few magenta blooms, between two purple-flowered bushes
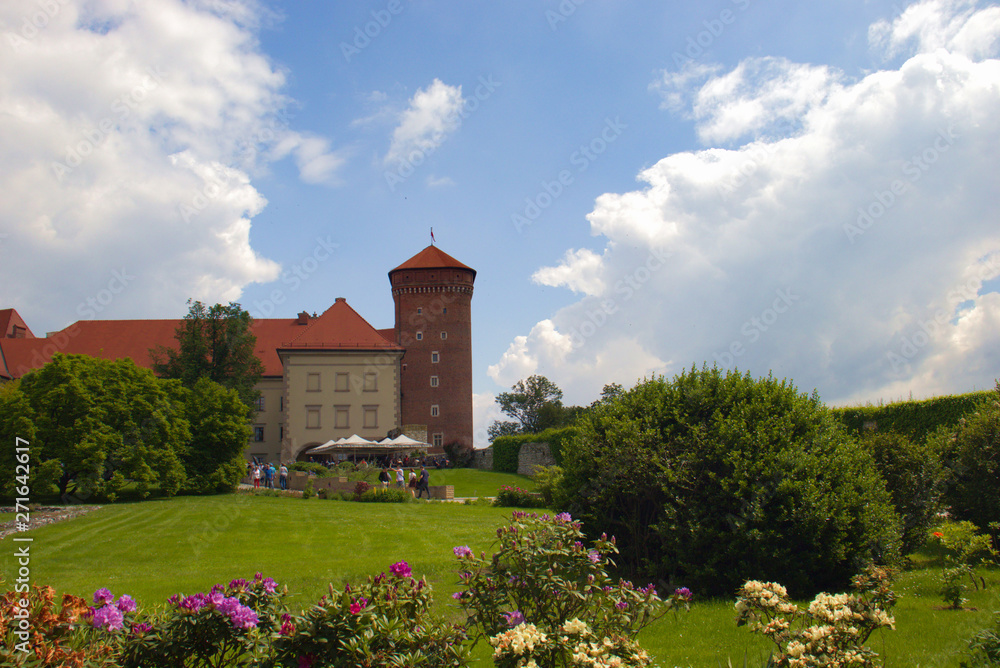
384 622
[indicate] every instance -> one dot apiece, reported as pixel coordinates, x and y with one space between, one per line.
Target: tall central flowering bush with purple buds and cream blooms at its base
545 599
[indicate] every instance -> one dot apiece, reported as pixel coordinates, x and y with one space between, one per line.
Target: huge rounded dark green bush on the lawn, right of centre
715 478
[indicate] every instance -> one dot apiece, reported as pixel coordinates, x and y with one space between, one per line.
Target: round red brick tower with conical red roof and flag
433 296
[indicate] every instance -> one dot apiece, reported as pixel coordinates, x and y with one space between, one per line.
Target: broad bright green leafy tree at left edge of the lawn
103 422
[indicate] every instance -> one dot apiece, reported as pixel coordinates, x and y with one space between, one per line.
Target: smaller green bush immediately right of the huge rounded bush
914 477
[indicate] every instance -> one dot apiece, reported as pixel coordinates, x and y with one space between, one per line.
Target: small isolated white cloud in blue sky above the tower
433 114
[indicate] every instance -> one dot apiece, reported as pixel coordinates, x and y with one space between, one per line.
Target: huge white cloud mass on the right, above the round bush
819 254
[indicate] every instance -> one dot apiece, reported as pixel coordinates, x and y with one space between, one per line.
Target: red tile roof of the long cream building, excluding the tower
339 327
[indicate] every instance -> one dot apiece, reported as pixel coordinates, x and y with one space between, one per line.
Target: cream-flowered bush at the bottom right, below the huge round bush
831 632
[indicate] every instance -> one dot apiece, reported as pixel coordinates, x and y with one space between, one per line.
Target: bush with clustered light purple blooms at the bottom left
228 626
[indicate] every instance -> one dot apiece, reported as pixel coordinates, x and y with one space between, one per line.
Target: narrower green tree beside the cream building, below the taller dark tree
220 428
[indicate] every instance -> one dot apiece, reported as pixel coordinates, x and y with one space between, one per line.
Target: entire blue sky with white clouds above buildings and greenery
808 190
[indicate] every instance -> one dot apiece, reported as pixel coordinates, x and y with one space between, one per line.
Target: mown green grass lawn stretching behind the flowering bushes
154 549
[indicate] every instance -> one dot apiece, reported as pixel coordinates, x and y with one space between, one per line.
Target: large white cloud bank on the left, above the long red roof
132 130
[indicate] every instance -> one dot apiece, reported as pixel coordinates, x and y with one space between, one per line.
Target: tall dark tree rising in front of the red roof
214 342
